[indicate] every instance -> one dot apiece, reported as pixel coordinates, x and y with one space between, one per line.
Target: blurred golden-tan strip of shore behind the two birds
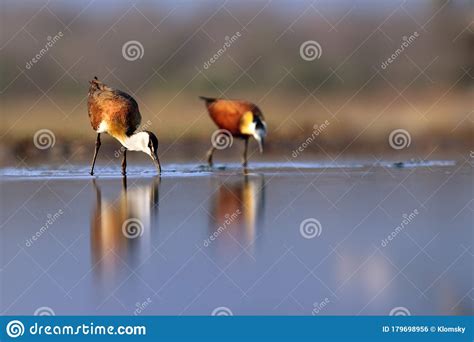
329 125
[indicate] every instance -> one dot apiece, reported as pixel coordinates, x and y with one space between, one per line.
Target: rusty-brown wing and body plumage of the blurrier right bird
227 114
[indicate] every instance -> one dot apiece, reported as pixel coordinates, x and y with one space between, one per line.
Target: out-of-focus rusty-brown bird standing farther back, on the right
241 118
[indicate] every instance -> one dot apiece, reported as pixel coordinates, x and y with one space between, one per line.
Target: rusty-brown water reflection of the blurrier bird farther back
237 213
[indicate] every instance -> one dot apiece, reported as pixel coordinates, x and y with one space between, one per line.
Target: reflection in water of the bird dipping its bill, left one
121 227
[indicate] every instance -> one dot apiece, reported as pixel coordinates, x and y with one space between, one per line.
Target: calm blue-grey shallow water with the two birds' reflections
221 238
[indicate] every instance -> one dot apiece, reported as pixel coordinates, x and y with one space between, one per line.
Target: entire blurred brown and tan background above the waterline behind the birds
372 67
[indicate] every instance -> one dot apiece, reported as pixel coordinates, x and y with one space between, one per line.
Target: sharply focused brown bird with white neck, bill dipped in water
115 112
